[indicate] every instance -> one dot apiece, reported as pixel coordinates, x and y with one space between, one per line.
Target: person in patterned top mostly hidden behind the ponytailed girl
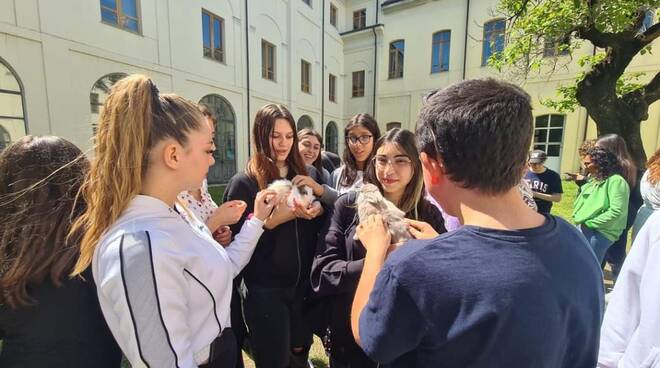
201 204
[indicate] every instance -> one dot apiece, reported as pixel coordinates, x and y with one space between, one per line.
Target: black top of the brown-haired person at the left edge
64 327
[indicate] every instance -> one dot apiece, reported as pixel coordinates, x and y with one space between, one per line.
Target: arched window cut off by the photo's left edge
12 115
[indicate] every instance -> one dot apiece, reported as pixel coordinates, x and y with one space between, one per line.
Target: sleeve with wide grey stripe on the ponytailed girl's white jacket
154 289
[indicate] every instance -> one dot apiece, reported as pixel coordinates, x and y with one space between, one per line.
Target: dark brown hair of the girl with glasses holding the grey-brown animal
412 200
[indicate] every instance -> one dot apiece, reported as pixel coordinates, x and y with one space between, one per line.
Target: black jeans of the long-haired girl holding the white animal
276 324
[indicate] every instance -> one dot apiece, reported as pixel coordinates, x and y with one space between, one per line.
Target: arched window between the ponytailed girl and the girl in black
225 138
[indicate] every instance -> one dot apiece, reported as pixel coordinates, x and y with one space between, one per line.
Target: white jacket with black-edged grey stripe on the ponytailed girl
164 284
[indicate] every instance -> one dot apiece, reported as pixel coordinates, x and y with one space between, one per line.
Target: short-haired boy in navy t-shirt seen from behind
511 288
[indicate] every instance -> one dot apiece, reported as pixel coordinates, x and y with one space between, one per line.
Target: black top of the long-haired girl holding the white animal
283 256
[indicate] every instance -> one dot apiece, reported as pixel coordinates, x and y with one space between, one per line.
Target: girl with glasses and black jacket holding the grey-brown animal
397 172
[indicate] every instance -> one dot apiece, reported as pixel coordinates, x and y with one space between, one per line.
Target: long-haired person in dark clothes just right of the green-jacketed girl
616 253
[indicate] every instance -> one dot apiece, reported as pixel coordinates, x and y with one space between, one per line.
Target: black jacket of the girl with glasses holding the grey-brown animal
337 267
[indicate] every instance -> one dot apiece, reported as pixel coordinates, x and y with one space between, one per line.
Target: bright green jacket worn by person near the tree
603 206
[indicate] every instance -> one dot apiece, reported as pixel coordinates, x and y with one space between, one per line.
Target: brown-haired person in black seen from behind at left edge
47 319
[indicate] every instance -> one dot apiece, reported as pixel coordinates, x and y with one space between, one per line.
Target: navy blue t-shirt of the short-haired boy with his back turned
480 297
